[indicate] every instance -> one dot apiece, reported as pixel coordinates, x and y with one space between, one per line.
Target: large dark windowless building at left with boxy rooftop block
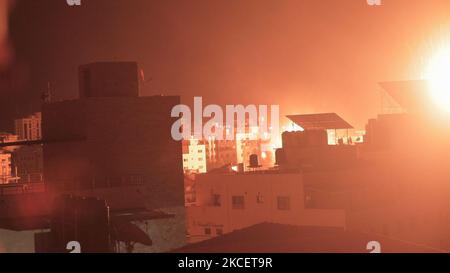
113 144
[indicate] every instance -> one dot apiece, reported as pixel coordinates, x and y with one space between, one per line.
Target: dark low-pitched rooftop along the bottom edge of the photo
277 238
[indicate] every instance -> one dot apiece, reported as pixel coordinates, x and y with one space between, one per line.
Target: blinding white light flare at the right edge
438 77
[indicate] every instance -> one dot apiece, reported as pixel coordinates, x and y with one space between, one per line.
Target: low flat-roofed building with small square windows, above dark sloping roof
230 201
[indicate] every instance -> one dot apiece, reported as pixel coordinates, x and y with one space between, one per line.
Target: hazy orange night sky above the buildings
308 56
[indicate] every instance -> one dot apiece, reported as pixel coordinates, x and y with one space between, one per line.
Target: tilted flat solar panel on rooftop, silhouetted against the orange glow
320 121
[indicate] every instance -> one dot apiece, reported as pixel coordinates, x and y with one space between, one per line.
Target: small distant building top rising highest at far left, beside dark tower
29 128
